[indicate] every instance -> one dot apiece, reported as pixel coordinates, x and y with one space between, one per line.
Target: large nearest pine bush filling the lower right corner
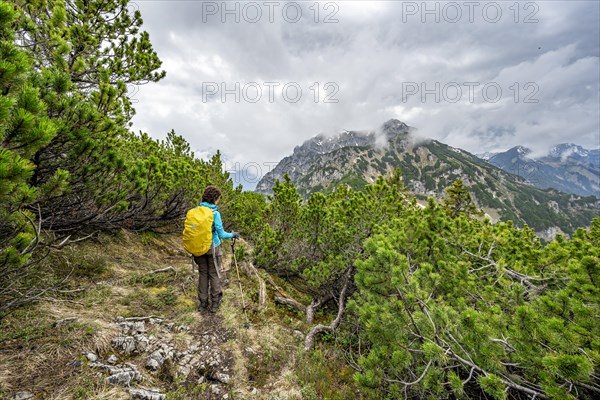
451 306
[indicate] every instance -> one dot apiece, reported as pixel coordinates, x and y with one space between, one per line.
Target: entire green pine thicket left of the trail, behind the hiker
69 166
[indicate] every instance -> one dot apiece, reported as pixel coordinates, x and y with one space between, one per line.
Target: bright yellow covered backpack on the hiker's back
197 230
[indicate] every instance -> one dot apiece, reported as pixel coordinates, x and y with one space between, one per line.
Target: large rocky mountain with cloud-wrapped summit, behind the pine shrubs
428 167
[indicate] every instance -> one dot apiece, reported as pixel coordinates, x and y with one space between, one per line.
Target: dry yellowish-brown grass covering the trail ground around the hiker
112 276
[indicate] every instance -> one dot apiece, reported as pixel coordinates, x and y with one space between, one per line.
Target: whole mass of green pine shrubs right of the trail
440 304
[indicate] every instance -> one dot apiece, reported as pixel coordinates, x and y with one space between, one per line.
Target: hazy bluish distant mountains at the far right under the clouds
567 167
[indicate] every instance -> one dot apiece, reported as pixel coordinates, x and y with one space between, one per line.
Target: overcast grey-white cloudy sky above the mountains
255 79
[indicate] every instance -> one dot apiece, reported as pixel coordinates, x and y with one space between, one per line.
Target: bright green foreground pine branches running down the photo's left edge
24 129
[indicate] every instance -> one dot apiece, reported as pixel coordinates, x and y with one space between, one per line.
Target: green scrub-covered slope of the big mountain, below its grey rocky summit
491 188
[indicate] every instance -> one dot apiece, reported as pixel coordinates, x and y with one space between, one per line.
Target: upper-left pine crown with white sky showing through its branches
98 43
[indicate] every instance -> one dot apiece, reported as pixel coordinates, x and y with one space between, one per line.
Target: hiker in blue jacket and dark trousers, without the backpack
209 263
